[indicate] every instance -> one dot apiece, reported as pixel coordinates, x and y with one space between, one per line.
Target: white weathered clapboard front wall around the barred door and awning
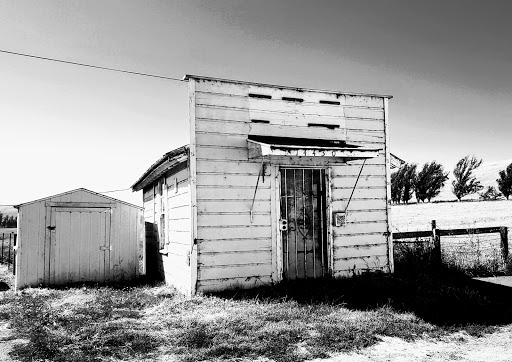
231 249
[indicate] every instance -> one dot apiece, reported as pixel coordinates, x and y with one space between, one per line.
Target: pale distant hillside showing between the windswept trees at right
487 174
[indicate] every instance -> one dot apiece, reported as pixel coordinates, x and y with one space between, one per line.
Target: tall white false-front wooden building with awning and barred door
275 183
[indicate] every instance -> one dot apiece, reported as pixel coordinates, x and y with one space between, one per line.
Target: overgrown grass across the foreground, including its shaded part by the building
292 321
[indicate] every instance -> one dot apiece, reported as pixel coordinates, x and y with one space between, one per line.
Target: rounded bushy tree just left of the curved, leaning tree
429 181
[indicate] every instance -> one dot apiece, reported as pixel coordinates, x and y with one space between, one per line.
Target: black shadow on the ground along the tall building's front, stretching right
440 296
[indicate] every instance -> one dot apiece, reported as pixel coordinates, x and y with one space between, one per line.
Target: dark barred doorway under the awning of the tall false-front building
303 222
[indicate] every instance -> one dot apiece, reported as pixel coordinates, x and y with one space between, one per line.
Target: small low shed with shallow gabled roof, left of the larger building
78 236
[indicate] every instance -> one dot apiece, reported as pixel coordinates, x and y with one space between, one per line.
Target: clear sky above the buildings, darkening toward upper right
447 64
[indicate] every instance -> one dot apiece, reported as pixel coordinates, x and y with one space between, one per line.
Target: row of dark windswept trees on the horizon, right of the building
428 182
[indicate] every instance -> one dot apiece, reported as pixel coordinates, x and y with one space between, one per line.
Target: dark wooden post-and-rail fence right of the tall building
435 234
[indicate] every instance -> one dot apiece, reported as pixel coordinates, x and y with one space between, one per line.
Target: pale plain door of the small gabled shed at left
80 245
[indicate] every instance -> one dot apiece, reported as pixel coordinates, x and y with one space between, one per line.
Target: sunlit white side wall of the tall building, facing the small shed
171 264
